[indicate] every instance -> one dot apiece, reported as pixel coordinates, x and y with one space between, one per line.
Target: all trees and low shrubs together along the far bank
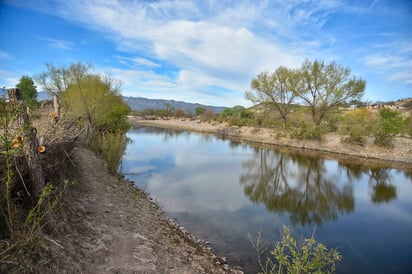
307 103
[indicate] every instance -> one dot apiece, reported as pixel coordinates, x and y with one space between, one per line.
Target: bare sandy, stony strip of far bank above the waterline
400 156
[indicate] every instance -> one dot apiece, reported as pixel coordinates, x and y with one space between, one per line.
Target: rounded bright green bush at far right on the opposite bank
390 124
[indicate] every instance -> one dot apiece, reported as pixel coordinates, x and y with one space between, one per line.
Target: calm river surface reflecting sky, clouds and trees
223 191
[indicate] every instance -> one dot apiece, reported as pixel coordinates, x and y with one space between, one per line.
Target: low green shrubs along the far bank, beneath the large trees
354 124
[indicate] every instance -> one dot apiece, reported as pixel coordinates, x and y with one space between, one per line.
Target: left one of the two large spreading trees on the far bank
276 90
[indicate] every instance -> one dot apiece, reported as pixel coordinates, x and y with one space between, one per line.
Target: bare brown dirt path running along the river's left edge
109 226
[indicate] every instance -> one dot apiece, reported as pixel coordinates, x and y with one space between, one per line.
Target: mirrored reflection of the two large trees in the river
297 185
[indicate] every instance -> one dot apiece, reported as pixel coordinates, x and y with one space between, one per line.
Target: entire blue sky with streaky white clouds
208 51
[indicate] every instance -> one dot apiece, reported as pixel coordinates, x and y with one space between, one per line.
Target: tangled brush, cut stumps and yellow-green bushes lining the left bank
35 147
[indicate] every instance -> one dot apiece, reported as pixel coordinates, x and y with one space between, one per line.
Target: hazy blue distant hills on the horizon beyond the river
139 103
